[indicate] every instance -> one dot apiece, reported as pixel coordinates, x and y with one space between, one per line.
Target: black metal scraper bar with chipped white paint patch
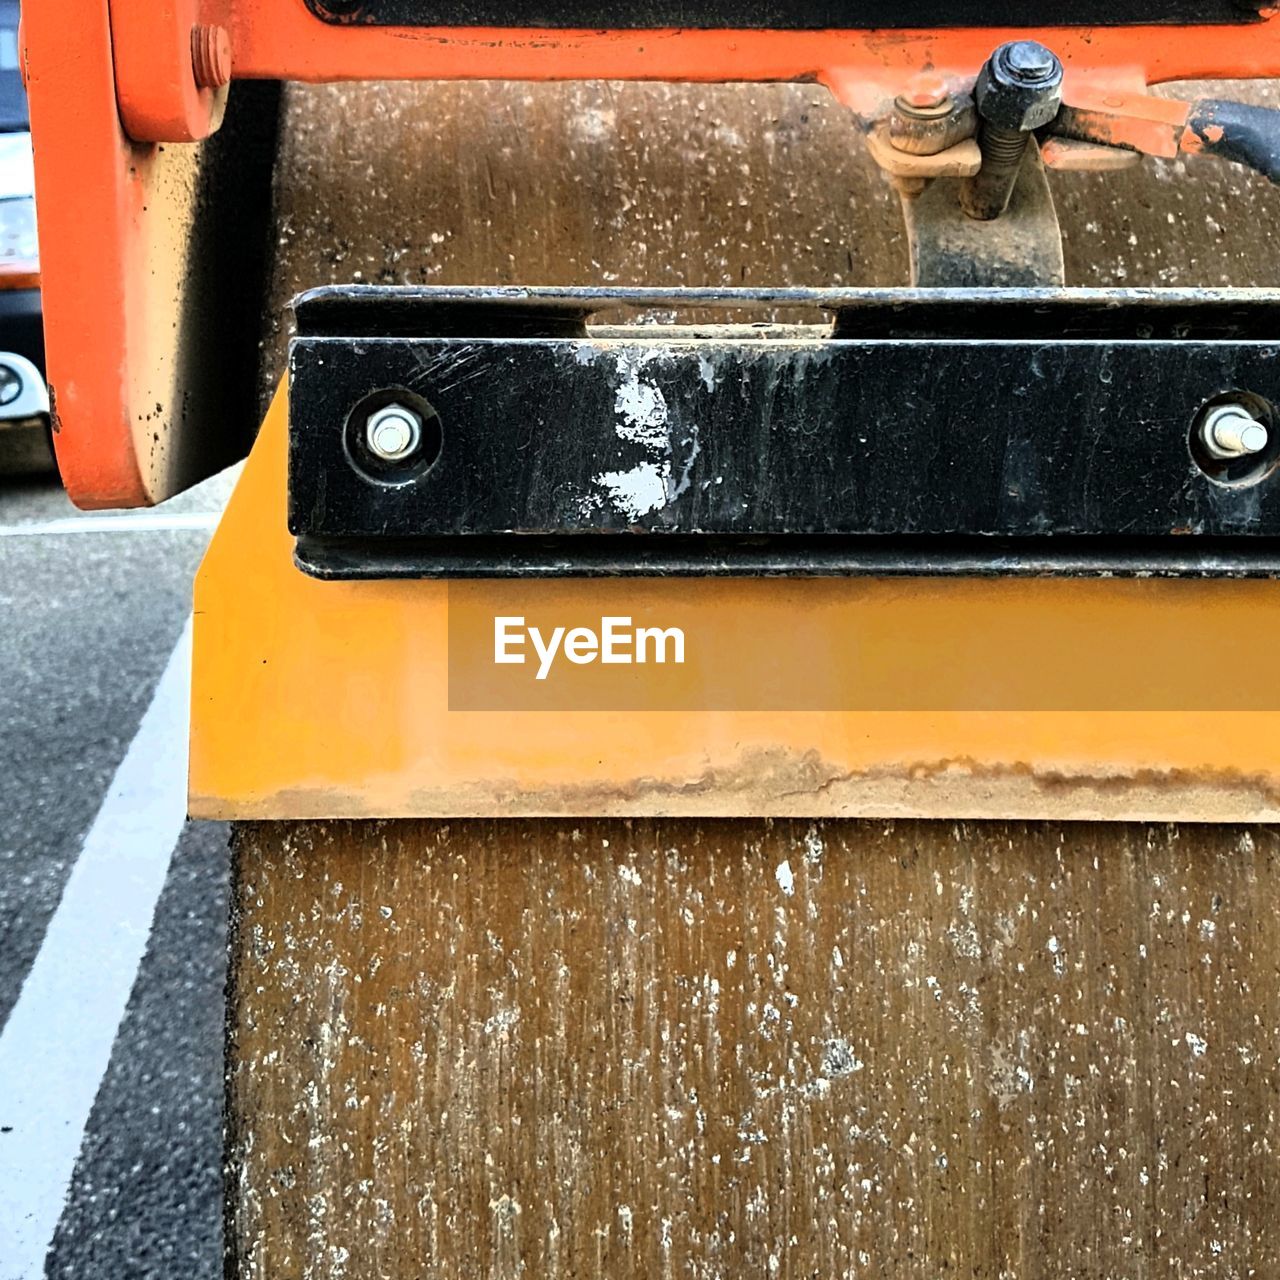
924 432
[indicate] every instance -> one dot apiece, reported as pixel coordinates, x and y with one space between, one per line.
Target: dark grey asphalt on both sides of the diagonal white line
88 624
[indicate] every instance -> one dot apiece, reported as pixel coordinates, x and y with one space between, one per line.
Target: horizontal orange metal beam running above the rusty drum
865 68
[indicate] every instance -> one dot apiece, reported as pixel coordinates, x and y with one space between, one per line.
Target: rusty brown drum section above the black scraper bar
657 185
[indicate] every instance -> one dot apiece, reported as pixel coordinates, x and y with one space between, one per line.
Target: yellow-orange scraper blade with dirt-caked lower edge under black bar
326 700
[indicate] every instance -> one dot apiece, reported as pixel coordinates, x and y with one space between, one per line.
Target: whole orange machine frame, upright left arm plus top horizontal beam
116 109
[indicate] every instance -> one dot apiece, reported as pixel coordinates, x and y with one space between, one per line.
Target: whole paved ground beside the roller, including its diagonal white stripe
111 980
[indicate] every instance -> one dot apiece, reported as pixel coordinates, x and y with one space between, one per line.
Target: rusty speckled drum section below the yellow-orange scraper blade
749 1049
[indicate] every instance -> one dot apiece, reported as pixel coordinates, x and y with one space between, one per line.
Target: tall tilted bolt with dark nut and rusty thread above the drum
1020 90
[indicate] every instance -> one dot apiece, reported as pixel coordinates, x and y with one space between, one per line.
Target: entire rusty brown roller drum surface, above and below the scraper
738 1048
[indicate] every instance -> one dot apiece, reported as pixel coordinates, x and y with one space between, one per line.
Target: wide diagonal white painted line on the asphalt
57 1045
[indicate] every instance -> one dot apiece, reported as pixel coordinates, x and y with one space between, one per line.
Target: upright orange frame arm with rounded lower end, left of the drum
115 225
